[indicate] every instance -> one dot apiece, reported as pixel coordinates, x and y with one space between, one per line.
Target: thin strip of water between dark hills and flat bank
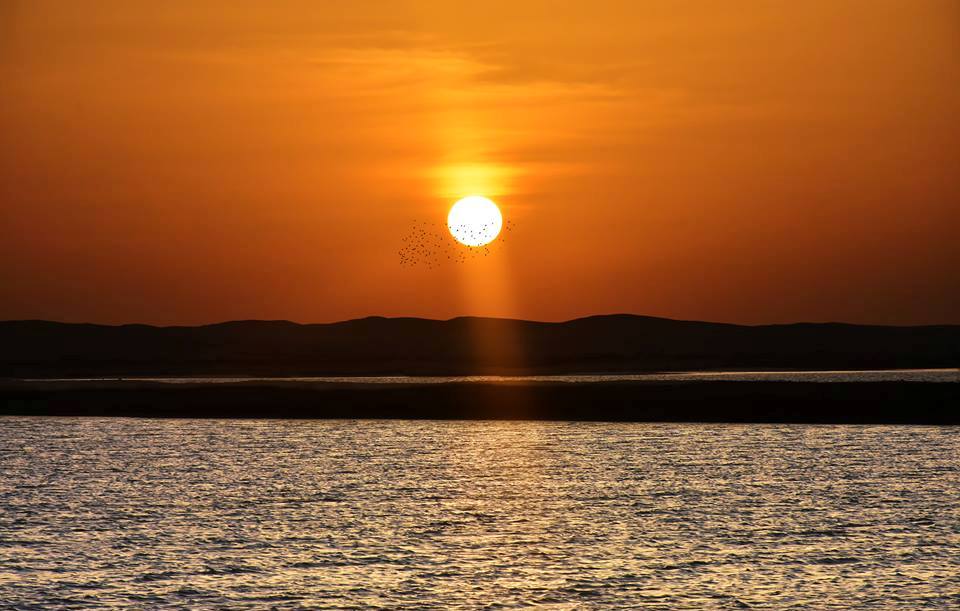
877 375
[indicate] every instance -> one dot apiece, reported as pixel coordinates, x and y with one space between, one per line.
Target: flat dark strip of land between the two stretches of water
708 401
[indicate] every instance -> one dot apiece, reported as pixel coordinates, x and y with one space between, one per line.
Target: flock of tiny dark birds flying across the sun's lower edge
431 244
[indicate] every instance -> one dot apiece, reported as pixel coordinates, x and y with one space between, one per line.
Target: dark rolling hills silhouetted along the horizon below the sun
376 345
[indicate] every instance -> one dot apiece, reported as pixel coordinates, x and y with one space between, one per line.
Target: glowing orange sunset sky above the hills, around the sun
184 162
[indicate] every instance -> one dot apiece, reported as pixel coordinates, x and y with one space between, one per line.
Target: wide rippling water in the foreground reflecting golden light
260 514
